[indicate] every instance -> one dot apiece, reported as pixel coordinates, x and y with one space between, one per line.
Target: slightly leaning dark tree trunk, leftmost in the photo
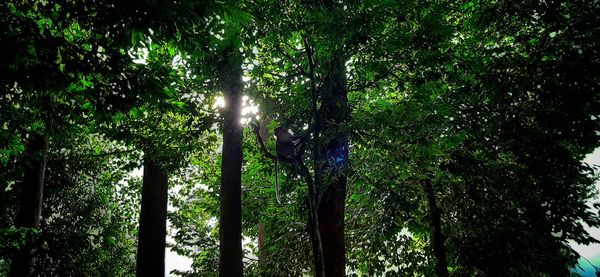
30 206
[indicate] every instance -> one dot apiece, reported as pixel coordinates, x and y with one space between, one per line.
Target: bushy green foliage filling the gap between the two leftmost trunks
90 211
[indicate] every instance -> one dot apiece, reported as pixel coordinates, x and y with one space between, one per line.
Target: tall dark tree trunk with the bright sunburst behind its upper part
230 223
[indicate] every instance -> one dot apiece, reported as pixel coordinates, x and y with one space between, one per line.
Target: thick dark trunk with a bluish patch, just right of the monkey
332 205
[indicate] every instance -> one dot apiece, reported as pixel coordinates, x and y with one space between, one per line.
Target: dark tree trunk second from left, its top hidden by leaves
153 221
